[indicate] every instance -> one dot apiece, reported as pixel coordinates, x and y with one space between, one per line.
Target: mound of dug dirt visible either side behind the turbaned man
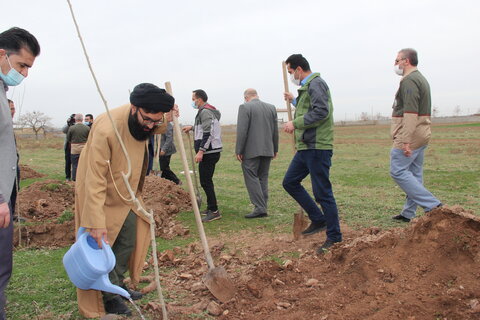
48 208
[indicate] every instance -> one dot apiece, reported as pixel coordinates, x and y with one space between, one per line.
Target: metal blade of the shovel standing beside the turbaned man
219 284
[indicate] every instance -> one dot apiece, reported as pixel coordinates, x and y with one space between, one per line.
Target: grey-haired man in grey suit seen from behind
257 145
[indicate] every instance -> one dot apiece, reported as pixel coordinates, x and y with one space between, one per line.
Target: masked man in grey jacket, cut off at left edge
18 50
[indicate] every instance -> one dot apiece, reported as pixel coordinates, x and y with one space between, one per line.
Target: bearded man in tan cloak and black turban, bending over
101 198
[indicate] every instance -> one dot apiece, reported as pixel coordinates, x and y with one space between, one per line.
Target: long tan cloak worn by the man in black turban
98 204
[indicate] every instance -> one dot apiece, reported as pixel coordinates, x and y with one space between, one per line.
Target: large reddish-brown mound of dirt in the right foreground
428 270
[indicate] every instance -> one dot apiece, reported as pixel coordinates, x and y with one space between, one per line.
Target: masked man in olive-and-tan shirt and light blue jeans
411 132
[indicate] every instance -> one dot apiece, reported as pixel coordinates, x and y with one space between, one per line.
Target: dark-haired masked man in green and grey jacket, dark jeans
313 129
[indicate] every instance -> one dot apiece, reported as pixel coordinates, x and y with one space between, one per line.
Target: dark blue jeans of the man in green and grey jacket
317 163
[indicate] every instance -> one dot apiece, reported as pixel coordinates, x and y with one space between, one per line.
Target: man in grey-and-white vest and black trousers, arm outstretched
208 146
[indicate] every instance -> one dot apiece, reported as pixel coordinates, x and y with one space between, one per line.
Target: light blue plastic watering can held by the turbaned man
88 266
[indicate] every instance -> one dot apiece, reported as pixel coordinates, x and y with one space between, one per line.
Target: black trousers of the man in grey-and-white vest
206 169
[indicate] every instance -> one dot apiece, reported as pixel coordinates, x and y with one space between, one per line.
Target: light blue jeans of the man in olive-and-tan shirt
408 174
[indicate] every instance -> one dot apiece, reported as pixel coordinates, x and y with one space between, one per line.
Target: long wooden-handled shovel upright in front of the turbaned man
216 279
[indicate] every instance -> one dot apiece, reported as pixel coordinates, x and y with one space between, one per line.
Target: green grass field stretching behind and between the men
365 194
